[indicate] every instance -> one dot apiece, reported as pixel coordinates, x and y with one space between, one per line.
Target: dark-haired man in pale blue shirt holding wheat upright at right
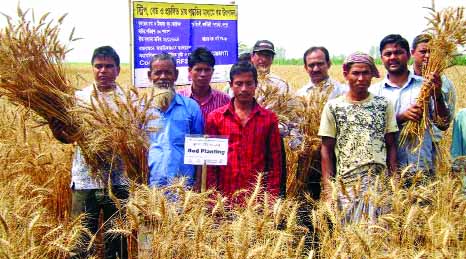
402 88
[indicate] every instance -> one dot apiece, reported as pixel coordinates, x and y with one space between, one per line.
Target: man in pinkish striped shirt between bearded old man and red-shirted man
201 64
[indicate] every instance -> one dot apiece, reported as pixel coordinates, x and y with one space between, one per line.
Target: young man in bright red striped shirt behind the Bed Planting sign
253 138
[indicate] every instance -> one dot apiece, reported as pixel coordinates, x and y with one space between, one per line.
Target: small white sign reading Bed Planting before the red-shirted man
212 150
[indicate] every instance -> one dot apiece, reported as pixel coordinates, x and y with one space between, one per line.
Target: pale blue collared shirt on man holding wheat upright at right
404 97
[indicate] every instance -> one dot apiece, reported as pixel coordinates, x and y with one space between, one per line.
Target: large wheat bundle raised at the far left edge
31 68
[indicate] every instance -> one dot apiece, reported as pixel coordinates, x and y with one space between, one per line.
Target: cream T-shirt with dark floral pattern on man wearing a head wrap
359 128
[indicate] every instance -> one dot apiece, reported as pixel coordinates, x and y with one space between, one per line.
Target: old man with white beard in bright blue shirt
175 116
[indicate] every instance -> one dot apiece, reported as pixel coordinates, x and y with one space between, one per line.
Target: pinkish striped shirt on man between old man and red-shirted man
215 100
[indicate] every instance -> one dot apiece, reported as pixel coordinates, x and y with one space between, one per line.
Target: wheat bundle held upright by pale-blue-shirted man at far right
448 30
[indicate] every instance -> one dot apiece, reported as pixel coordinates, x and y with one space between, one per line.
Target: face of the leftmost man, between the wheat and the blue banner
105 72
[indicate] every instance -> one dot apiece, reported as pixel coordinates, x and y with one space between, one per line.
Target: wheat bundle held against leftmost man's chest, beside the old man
116 131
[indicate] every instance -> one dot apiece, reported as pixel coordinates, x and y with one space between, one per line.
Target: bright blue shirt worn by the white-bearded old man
166 151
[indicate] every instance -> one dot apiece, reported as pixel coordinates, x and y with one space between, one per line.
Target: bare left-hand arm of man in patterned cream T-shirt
327 153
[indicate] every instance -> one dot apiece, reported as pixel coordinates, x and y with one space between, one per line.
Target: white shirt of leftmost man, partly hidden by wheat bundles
80 174
